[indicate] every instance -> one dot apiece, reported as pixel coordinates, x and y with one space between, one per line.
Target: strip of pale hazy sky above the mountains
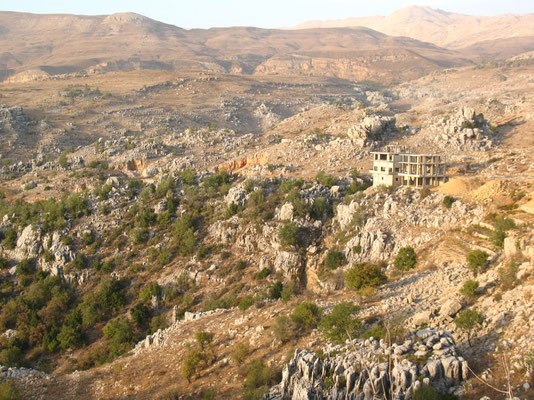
262 13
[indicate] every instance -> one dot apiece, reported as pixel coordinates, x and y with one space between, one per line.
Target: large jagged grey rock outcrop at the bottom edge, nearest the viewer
369 369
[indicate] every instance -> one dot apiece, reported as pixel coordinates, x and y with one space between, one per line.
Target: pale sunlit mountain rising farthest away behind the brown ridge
496 36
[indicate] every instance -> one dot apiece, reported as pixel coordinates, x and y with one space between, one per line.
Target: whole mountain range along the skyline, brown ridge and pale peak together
412 42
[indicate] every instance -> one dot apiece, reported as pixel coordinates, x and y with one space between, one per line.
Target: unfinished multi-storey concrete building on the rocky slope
396 166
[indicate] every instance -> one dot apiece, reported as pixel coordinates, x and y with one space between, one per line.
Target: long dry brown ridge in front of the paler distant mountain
34 46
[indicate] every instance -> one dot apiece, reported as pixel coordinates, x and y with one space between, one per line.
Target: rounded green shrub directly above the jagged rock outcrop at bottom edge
341 323
